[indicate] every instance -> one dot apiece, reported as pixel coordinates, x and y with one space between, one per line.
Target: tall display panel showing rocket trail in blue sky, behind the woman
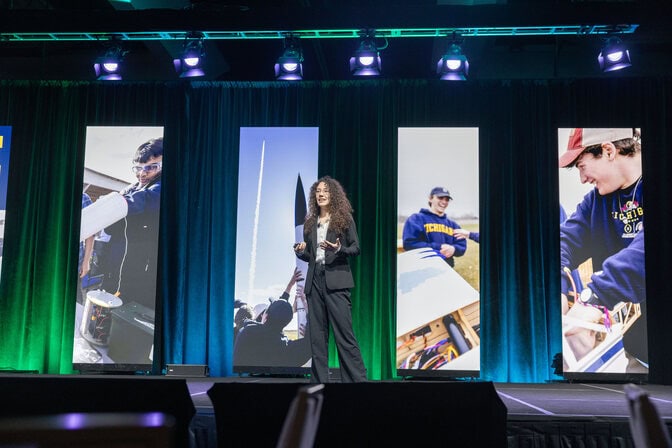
277 167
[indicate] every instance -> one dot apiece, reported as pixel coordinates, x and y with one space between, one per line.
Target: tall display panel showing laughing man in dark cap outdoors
438 262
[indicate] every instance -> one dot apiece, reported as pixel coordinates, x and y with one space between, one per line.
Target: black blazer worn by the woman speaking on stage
336 265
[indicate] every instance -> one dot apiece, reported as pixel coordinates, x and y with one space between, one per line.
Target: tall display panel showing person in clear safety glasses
118 249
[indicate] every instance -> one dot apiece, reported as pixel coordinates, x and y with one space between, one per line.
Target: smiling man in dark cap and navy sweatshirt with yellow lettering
431 227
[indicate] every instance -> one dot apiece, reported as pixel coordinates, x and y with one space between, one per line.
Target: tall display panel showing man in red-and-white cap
603 292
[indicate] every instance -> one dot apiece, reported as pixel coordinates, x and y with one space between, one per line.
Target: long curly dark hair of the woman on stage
339 206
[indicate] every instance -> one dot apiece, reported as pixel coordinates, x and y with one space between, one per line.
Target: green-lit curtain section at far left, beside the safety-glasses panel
39 261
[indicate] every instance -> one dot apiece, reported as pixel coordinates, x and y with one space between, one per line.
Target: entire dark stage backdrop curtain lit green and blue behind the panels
358 123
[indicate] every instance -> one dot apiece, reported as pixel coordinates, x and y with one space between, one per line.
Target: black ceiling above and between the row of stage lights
512 57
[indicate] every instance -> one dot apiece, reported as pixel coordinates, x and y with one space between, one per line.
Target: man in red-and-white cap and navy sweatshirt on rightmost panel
608 228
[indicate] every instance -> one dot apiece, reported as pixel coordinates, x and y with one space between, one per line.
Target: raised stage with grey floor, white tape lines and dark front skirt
558 414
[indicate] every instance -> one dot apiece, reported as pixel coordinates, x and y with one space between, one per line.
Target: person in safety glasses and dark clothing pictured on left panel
130 258
